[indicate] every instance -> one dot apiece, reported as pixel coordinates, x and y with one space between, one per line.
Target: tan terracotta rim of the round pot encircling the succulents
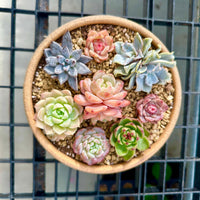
29 104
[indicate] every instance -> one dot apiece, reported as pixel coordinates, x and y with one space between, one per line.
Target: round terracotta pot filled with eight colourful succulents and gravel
102 94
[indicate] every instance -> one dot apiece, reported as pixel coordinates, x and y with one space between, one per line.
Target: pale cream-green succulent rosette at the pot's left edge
57 114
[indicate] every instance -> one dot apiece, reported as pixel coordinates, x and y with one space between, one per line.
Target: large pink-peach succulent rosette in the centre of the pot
102 97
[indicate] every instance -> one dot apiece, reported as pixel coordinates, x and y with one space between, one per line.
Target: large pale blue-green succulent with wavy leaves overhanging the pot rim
142 65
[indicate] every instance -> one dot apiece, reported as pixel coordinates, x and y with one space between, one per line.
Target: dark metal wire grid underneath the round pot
140 176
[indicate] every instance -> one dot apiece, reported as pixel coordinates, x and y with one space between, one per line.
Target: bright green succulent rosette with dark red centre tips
127 136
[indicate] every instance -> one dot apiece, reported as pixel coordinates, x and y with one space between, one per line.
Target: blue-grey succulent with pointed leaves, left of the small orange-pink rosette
65 63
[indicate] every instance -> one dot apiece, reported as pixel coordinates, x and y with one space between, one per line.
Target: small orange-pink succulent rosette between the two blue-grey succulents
98 44
